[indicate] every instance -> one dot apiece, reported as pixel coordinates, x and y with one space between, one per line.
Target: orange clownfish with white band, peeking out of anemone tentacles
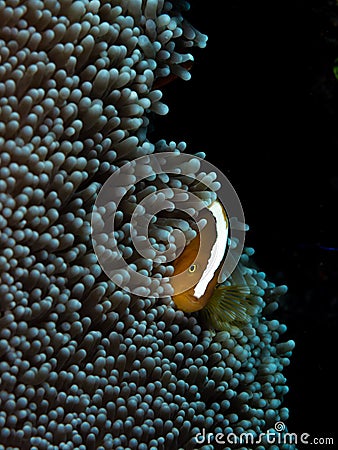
202 259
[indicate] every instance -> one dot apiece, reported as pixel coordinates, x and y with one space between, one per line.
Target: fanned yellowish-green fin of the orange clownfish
229 306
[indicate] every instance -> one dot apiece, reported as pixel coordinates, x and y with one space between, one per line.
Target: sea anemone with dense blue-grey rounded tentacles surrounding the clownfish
83 364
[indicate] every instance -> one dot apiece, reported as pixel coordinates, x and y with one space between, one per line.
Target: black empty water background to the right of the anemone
262 103
